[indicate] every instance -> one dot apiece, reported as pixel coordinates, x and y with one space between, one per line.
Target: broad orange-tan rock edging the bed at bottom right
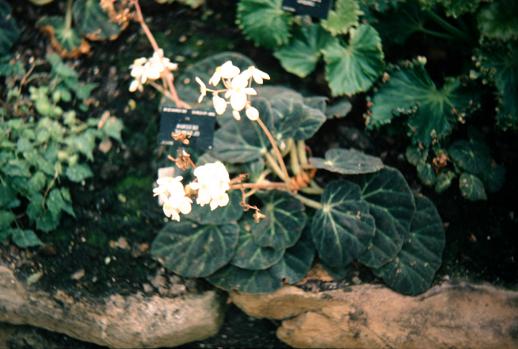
366 316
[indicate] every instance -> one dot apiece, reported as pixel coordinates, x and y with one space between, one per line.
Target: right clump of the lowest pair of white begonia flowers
212 183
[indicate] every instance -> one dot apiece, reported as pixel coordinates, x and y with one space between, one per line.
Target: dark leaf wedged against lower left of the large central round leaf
297 260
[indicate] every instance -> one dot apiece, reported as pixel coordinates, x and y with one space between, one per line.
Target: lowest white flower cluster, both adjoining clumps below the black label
212 183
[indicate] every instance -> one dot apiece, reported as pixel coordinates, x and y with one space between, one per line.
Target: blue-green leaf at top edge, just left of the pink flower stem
91 21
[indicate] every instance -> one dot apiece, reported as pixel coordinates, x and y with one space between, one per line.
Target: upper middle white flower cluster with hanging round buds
237 89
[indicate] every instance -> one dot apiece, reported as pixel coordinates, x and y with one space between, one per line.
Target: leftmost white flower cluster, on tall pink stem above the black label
149 69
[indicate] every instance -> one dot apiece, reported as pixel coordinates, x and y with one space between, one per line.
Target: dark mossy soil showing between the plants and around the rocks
105 250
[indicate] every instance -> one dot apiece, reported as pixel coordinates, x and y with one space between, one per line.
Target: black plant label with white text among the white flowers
187 127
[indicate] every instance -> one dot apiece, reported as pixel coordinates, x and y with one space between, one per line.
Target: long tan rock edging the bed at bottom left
131 321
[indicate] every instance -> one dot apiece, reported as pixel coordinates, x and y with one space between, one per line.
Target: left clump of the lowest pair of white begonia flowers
171 195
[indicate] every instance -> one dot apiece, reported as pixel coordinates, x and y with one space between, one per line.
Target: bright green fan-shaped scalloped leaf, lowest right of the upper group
355 67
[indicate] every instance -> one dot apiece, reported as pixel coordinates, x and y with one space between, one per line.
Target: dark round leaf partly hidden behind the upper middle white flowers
186 85
